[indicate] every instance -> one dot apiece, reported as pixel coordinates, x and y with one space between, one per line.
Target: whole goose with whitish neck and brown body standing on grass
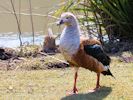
81 52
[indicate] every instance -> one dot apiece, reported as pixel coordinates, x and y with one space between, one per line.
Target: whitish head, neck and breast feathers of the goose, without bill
70 37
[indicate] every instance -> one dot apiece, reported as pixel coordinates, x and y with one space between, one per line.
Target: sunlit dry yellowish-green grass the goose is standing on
53 84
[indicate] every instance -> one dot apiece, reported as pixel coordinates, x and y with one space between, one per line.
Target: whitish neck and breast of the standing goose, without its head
70 40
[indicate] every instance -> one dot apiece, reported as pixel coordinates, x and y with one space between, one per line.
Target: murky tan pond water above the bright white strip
39 8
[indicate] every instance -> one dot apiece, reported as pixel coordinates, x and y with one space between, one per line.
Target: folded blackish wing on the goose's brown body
97 52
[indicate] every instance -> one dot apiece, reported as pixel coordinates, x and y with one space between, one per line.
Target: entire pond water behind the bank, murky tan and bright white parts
8 26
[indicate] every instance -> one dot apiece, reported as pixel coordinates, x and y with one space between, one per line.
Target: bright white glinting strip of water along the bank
12 40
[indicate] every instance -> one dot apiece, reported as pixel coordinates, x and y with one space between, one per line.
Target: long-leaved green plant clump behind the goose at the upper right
113 17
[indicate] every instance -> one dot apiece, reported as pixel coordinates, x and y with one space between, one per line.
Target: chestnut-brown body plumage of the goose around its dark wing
81 59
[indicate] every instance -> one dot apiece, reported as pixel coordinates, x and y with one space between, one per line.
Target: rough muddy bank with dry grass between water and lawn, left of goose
31 58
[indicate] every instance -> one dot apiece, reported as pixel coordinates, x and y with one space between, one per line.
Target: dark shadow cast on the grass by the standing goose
99 95
